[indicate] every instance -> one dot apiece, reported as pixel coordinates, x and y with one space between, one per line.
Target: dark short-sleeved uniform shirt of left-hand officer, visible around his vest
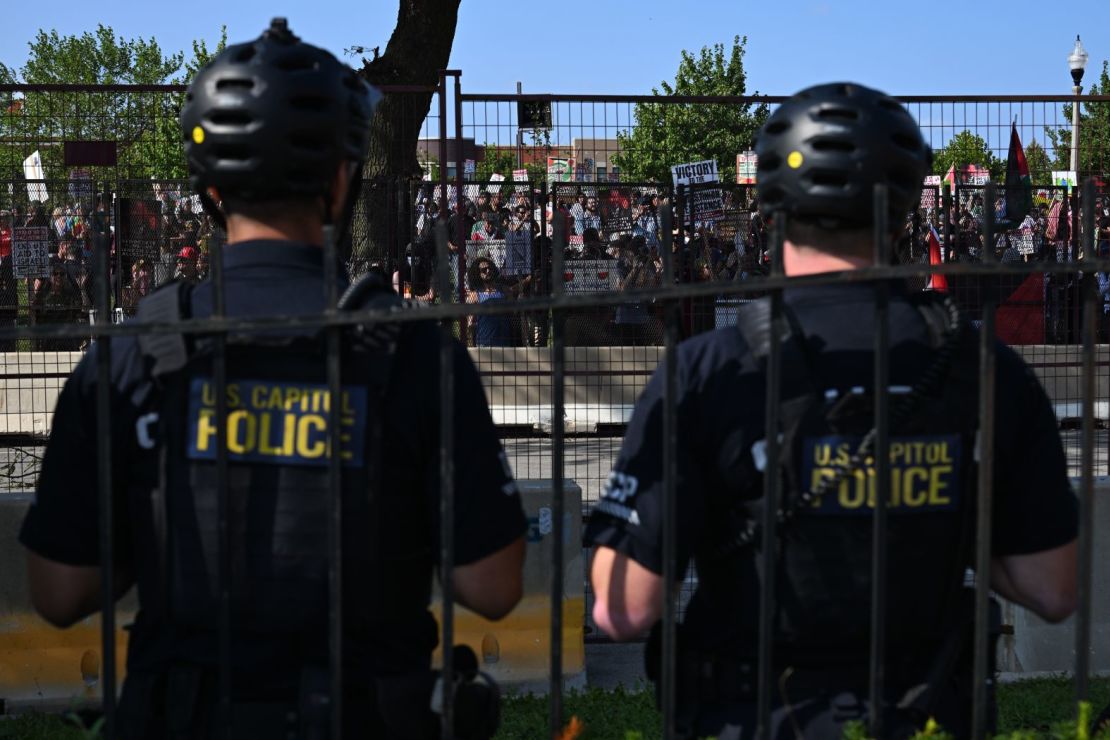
265 279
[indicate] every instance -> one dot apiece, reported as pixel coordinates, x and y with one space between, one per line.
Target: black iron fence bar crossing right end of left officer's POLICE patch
335 485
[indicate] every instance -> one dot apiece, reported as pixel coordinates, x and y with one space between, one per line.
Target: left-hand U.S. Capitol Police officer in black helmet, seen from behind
276 134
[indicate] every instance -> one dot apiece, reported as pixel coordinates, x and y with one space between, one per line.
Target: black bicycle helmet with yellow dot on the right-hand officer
825 149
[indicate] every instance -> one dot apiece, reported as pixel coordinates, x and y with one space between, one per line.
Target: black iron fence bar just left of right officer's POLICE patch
772 489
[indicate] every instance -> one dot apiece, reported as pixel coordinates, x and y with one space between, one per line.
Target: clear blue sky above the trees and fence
941 47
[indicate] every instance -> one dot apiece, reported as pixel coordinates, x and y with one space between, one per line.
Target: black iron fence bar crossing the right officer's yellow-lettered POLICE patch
877 667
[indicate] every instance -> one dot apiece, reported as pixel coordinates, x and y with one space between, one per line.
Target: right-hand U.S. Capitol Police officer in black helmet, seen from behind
821 155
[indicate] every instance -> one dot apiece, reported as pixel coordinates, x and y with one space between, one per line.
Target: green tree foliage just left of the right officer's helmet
668 135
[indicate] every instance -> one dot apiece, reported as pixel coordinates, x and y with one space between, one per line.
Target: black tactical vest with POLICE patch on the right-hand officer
824 549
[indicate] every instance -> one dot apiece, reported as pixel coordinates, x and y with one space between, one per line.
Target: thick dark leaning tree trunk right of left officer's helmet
419 48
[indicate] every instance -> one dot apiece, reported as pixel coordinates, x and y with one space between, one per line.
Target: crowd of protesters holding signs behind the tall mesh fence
508 231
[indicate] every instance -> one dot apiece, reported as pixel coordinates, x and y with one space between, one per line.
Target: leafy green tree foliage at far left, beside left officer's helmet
145 126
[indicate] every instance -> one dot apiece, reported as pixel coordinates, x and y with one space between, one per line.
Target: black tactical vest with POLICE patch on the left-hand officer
278 489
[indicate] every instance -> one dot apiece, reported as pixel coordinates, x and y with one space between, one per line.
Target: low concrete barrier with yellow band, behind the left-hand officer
42 666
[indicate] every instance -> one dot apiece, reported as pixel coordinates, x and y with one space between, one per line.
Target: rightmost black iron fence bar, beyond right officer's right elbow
1087 467
